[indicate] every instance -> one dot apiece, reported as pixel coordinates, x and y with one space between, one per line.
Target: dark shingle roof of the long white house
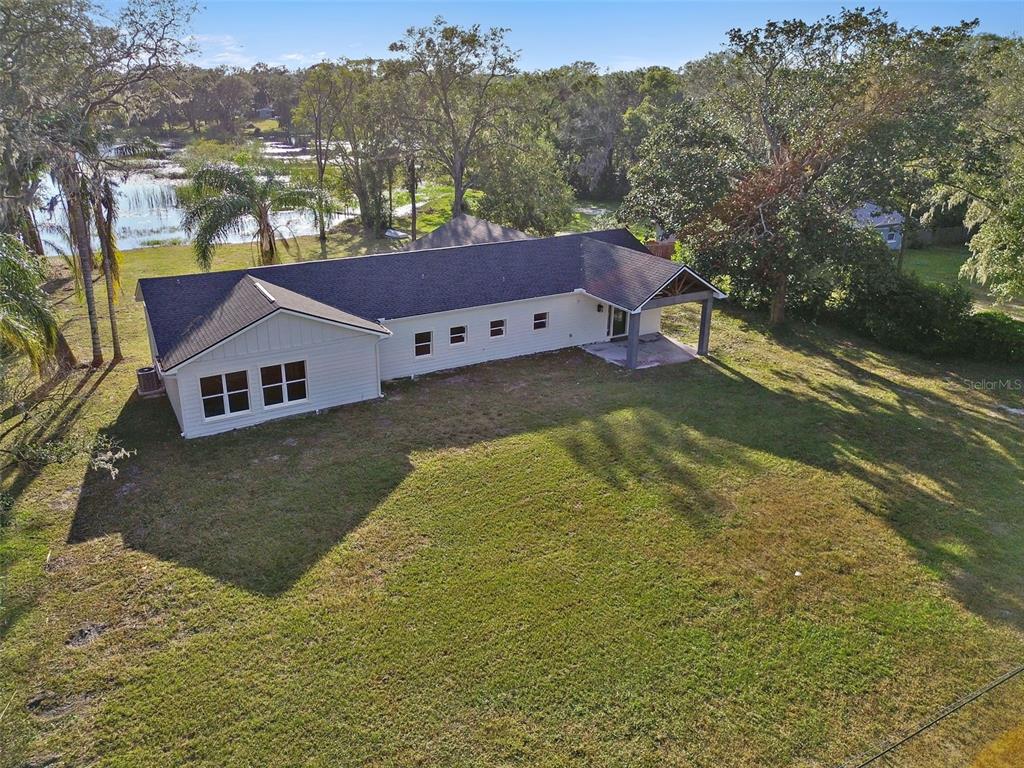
190 314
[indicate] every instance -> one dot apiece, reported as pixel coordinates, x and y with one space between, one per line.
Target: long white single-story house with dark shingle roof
240 348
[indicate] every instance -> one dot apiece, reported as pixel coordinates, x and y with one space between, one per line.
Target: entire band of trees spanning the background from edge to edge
752 158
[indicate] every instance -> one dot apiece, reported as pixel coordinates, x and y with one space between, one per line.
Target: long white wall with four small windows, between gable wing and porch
573 320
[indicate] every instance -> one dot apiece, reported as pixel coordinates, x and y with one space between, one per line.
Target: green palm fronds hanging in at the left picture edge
27 321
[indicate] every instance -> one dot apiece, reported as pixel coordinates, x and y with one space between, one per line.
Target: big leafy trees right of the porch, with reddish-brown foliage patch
757 165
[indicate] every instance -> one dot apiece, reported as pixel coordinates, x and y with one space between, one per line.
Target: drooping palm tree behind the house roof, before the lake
223 199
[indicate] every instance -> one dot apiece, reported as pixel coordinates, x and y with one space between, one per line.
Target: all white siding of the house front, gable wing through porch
343 365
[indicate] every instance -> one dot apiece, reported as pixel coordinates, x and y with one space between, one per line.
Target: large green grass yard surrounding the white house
545 562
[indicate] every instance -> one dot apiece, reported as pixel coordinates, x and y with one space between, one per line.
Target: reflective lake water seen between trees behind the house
149 214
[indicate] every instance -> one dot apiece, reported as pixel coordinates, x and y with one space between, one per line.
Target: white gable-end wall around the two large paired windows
342 368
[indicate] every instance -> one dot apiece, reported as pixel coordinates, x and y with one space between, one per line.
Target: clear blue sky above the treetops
615 35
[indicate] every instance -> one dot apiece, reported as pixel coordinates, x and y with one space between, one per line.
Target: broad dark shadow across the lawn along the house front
260 507
